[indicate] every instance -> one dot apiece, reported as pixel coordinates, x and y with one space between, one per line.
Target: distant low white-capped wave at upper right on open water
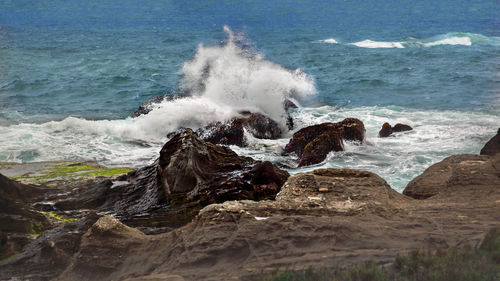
452 38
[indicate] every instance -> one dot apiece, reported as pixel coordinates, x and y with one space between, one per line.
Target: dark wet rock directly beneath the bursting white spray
232 132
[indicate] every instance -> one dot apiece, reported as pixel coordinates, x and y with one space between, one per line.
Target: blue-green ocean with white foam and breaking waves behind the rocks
71 72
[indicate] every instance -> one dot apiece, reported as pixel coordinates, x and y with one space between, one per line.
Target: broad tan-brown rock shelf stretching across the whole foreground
324 218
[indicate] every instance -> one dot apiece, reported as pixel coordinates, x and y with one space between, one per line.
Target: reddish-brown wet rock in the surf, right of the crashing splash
313 143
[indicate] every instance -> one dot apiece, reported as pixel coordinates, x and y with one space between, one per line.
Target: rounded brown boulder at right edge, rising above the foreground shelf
455 173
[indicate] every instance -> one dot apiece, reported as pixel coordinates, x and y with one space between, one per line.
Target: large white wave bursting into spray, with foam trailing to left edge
217 83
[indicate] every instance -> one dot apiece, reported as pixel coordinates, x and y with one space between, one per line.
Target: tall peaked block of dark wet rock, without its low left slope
192 170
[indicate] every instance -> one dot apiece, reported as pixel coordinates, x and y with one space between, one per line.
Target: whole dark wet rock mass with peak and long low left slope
189 174
